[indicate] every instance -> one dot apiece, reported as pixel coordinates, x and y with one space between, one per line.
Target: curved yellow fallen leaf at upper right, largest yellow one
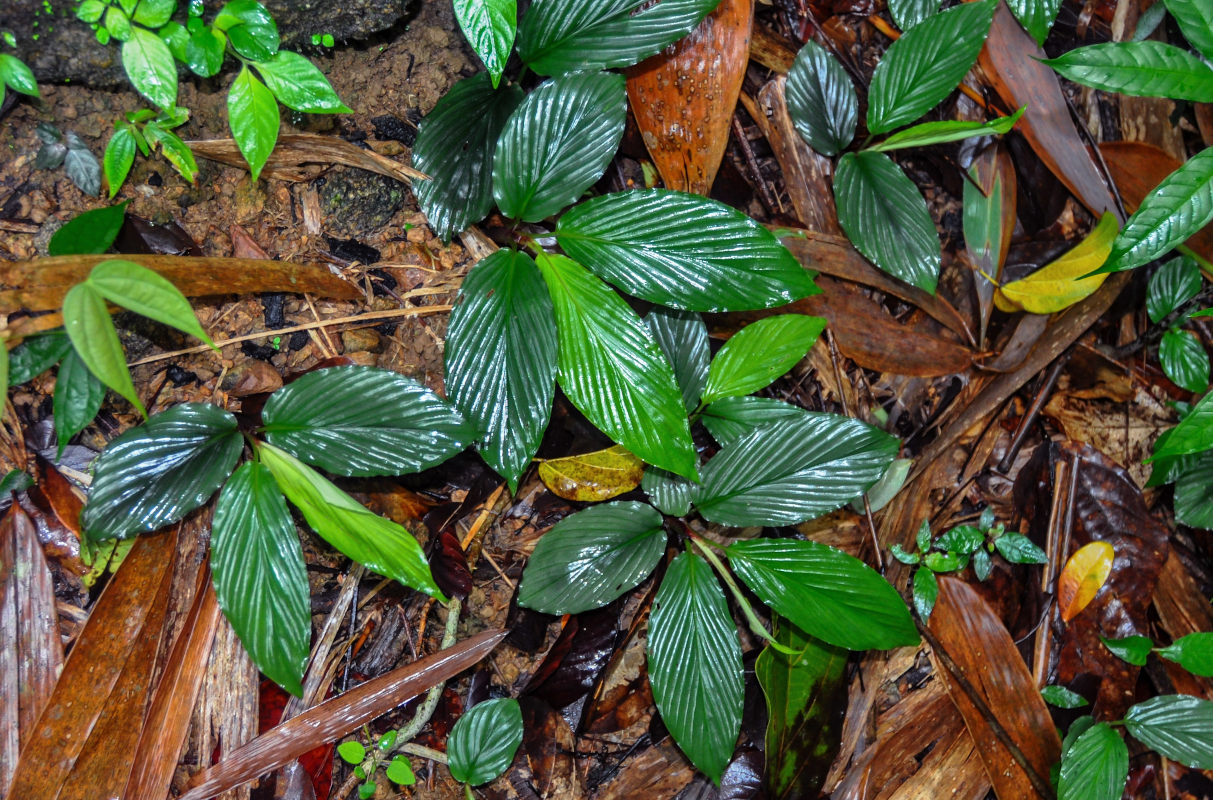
1062 284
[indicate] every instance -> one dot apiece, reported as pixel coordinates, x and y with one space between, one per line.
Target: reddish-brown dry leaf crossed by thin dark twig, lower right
987 656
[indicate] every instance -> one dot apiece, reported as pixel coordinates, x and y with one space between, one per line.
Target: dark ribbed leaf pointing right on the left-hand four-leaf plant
362 421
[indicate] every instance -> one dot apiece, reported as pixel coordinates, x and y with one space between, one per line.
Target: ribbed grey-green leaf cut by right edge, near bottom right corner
1177 727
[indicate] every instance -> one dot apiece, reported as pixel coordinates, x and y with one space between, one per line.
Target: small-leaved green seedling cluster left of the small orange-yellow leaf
956 550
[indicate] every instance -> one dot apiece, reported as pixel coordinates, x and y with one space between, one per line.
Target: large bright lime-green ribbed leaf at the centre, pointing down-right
613 370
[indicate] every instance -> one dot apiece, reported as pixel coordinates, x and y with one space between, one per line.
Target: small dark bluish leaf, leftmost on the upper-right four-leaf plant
822 100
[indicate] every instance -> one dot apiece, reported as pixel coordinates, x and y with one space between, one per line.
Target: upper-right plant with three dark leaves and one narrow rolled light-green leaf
880 208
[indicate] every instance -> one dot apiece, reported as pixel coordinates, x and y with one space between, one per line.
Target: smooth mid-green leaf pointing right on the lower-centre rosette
827 593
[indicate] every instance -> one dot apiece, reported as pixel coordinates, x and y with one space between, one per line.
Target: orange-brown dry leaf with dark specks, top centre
685 96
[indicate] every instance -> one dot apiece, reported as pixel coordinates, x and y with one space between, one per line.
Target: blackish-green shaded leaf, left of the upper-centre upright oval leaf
455 147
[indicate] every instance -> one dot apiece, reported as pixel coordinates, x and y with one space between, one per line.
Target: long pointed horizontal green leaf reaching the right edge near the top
1142 68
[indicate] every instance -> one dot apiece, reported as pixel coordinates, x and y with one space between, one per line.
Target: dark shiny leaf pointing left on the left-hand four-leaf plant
160 472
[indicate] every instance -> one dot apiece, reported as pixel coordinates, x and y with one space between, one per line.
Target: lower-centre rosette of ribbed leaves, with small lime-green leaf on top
777 465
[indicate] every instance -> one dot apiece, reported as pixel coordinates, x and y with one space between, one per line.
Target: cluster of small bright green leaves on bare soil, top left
153 45
